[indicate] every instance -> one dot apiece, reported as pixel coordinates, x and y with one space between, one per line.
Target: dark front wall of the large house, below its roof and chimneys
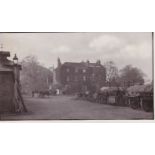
95 78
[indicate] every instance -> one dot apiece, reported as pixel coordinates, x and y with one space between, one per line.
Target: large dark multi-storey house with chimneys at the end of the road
82 76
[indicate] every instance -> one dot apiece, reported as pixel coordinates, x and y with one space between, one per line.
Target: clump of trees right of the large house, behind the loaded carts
125 77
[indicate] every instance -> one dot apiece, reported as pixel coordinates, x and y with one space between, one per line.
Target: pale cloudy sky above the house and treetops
122 48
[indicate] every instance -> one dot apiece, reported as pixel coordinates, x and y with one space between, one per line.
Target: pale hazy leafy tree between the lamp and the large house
34 76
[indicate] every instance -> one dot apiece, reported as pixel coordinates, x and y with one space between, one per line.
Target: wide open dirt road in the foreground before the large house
68 107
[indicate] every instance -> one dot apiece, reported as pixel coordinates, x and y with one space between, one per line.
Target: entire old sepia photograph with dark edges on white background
76 76
